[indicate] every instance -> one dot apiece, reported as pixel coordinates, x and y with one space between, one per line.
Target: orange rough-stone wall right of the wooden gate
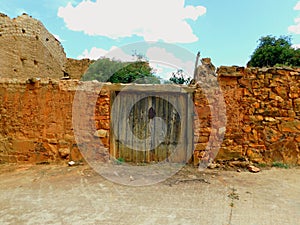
263 116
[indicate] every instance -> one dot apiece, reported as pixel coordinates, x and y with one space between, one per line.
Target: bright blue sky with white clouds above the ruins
227 31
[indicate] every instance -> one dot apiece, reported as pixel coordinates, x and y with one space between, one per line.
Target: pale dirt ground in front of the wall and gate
59 194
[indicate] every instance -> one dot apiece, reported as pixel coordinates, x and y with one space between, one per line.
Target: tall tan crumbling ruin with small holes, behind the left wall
27 49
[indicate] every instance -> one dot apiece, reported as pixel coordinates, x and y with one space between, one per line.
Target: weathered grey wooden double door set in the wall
149 128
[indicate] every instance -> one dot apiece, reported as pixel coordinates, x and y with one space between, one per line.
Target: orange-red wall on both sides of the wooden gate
262 112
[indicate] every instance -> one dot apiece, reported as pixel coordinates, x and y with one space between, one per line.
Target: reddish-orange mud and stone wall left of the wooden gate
36 121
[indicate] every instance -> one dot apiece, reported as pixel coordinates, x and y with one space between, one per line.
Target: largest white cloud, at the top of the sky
153 20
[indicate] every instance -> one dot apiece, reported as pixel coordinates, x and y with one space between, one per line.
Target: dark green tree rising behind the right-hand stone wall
273 51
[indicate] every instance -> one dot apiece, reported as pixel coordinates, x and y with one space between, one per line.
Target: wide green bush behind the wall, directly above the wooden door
107 70
